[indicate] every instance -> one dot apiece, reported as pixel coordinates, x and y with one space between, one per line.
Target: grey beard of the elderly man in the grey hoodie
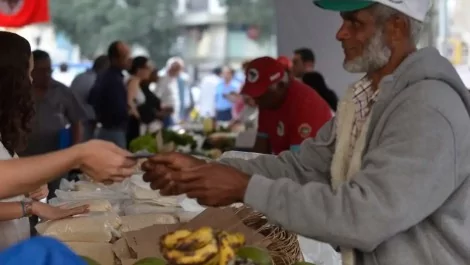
375 56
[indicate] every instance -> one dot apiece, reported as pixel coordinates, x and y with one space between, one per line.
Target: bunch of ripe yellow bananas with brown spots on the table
204 246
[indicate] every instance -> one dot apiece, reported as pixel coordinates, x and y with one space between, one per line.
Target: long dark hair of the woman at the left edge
16 104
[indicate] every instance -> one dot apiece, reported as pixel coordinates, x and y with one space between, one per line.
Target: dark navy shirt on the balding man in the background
109 99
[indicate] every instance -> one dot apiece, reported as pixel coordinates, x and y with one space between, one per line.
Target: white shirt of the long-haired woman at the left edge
13 231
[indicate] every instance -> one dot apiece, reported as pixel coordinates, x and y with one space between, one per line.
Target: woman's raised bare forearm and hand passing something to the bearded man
98 159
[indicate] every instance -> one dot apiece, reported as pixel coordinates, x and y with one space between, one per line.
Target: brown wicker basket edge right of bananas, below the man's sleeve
284 247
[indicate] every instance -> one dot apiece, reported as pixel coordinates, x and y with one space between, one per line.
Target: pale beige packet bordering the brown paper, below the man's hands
137 222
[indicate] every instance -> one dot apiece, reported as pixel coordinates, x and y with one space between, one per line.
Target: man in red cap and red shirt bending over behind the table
289 111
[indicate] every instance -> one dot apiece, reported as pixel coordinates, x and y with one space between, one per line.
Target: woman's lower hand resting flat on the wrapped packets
47 212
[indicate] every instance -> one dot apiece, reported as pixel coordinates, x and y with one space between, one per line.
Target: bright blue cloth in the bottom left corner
40 251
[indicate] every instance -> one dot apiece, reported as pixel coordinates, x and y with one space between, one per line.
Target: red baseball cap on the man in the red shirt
260 74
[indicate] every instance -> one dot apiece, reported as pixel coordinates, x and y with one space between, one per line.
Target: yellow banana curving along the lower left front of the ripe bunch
199 256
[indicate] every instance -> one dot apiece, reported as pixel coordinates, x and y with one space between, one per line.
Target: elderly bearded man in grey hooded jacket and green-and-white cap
387 180
